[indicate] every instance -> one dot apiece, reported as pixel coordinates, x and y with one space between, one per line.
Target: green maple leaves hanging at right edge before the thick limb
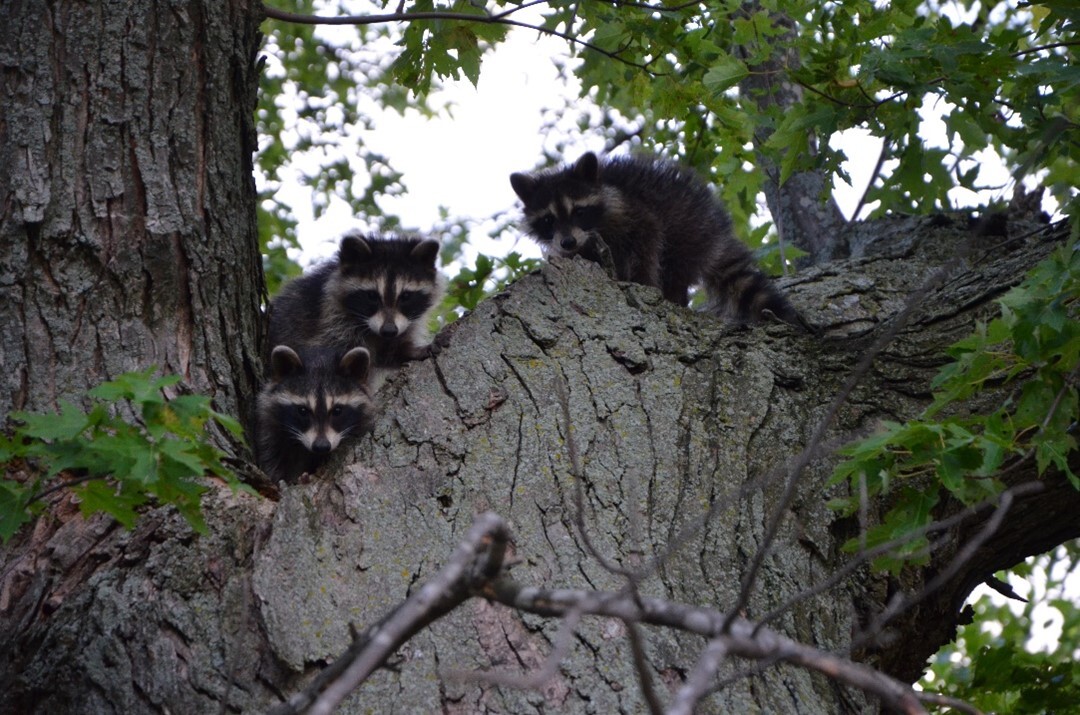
1032 356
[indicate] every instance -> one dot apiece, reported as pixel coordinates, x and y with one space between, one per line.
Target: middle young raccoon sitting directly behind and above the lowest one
377 293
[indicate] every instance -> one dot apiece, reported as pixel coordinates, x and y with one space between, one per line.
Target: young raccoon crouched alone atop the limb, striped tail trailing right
661 224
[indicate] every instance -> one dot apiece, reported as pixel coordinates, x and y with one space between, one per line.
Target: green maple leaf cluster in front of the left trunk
114 464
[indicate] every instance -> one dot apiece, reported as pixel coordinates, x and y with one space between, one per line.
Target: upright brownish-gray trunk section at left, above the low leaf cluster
128 233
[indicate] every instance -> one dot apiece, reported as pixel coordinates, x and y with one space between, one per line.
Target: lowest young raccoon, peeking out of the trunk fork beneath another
314 400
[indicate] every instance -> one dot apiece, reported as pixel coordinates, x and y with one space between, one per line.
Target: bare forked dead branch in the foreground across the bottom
478 569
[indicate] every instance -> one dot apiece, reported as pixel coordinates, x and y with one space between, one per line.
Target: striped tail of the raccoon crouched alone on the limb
740 293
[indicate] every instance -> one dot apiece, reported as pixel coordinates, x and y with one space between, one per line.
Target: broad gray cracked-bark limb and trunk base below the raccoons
671 414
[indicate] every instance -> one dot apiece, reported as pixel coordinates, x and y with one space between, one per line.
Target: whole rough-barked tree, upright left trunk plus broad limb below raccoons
129 238
